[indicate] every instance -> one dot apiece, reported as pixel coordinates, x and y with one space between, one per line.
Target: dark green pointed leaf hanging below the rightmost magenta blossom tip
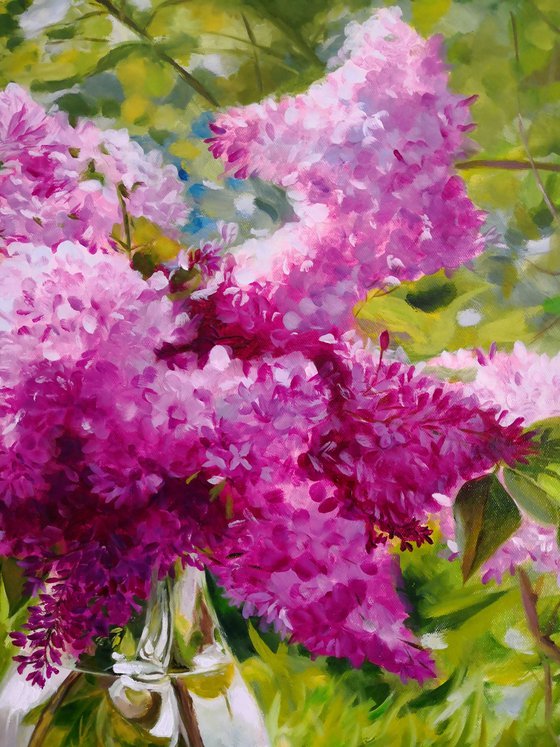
486 517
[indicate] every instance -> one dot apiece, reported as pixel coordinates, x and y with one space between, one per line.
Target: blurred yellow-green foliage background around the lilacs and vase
160 69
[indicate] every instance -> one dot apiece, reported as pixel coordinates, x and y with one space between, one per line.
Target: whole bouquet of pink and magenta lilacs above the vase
224 412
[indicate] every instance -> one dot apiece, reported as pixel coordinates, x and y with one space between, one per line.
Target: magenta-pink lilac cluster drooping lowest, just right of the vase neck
309 575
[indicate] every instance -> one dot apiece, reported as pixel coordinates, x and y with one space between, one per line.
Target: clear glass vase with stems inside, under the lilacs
167 679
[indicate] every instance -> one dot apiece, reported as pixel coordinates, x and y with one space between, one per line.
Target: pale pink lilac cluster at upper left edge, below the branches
59 182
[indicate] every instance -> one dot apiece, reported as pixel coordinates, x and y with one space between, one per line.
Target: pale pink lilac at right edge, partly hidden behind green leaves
526 385
